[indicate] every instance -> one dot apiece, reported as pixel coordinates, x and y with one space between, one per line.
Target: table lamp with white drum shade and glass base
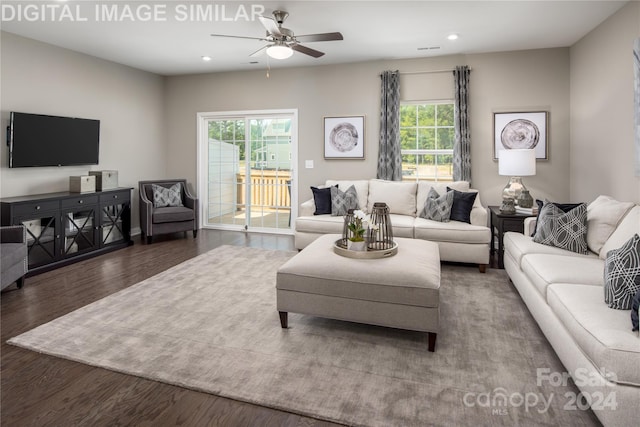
516 164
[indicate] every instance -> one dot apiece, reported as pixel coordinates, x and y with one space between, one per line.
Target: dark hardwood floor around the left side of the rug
40 390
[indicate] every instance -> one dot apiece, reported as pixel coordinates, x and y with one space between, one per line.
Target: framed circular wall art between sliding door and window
344 137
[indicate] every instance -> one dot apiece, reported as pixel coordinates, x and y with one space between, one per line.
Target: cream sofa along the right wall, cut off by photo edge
564 293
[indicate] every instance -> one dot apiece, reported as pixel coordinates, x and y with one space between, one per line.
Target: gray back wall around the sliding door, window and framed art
524 81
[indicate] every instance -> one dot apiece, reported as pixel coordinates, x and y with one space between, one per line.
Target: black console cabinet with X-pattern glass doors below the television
65 227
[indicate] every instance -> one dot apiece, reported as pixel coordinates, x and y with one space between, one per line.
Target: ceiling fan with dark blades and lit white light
282 41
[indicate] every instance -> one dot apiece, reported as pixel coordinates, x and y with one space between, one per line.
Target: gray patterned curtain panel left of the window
389 158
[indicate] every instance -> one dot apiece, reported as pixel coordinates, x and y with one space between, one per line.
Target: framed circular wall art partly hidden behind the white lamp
521 130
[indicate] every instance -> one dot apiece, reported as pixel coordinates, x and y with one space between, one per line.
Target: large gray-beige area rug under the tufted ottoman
210 324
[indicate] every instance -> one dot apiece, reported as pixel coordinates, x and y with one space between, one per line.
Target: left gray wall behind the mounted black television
43 79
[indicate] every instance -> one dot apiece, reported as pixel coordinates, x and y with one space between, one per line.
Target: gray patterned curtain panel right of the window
462 144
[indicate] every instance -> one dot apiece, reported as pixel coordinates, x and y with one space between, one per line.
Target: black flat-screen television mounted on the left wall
40 140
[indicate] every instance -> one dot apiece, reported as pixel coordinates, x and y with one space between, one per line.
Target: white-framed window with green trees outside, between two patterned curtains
426 140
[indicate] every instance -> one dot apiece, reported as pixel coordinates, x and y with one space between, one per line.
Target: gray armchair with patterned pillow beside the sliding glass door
156 220
